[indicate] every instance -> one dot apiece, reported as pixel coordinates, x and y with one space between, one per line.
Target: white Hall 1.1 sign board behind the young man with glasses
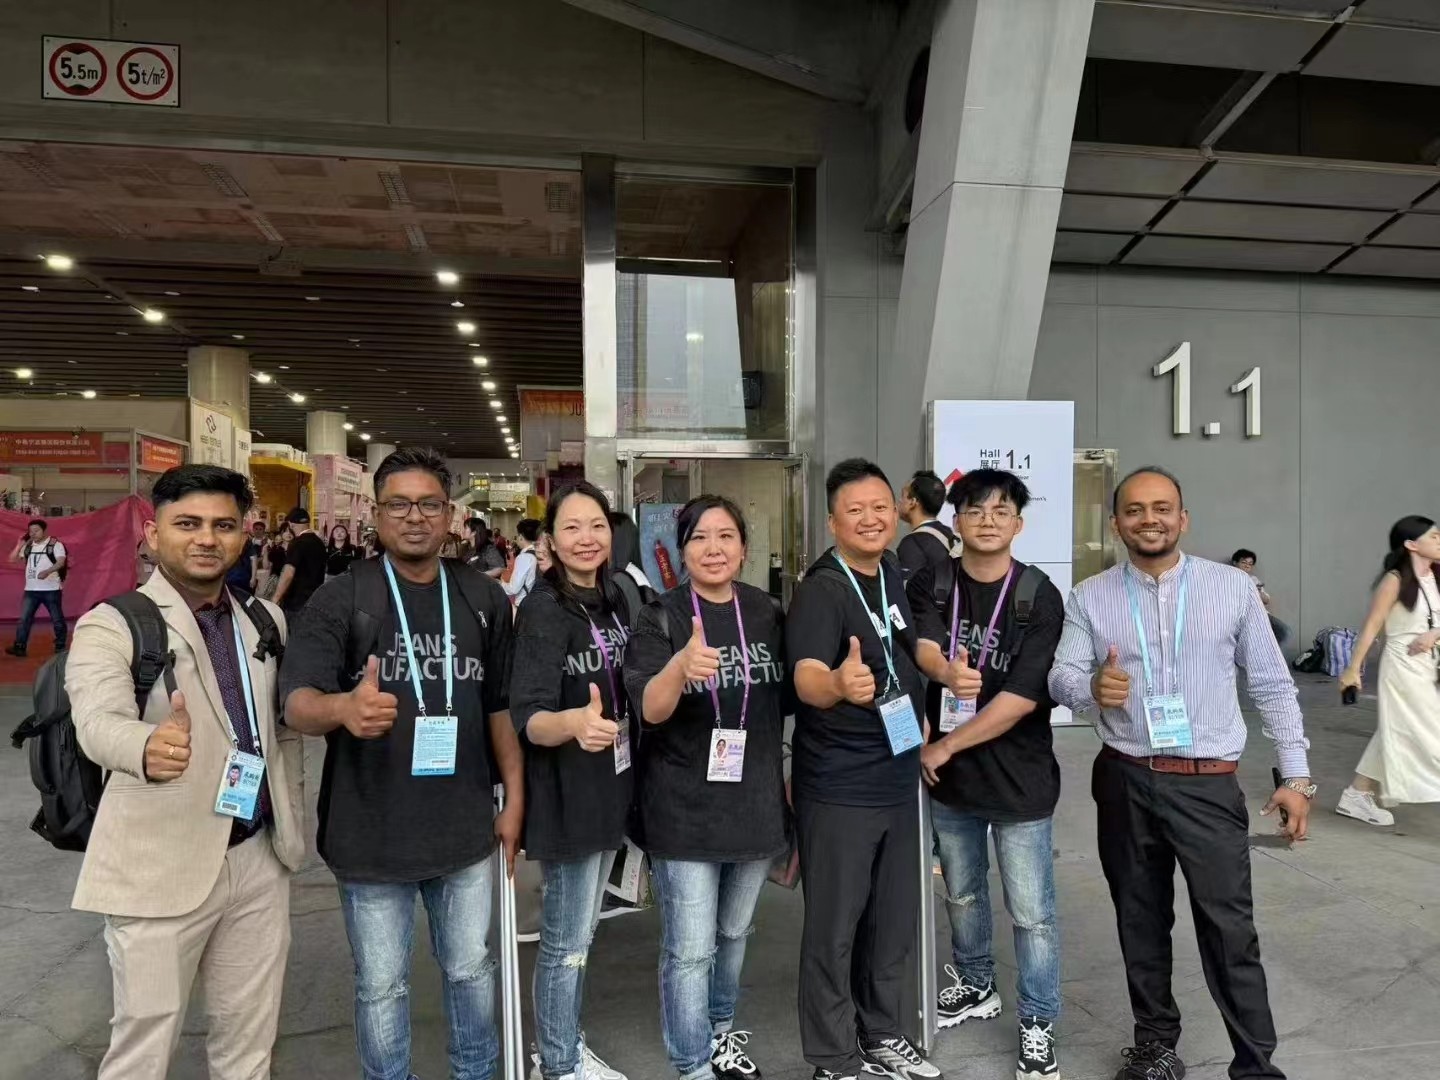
1035 441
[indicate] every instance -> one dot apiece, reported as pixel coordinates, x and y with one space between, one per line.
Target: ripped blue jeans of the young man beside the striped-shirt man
1027 875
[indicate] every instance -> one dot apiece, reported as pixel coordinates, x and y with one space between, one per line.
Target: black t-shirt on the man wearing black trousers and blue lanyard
843 754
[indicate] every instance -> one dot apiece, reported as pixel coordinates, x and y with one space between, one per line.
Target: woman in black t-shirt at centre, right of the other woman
706 669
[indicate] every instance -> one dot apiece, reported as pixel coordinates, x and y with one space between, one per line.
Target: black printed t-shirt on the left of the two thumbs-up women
575 801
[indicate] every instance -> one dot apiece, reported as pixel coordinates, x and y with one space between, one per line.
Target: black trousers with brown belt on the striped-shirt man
1148 823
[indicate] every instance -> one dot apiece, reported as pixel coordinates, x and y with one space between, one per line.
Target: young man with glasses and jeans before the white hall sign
991 765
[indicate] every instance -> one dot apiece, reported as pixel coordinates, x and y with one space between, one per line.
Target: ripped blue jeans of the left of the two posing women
571 895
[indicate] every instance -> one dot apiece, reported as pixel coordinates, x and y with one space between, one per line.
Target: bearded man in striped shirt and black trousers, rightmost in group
1150 650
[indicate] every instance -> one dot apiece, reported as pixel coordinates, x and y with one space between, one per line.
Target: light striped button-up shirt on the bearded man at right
1226 629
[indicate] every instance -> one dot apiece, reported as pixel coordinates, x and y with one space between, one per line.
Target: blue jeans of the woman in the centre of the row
706 911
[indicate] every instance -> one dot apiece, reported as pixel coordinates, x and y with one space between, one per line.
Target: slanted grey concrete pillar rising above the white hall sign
1000 107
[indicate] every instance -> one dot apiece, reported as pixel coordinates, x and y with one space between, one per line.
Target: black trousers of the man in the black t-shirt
859 866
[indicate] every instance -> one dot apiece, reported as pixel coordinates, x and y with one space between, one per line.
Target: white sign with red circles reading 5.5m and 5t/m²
125 73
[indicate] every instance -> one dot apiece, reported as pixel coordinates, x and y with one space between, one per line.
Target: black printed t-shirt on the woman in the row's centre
685 816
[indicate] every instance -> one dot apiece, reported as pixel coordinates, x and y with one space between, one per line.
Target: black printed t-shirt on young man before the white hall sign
1016 777
